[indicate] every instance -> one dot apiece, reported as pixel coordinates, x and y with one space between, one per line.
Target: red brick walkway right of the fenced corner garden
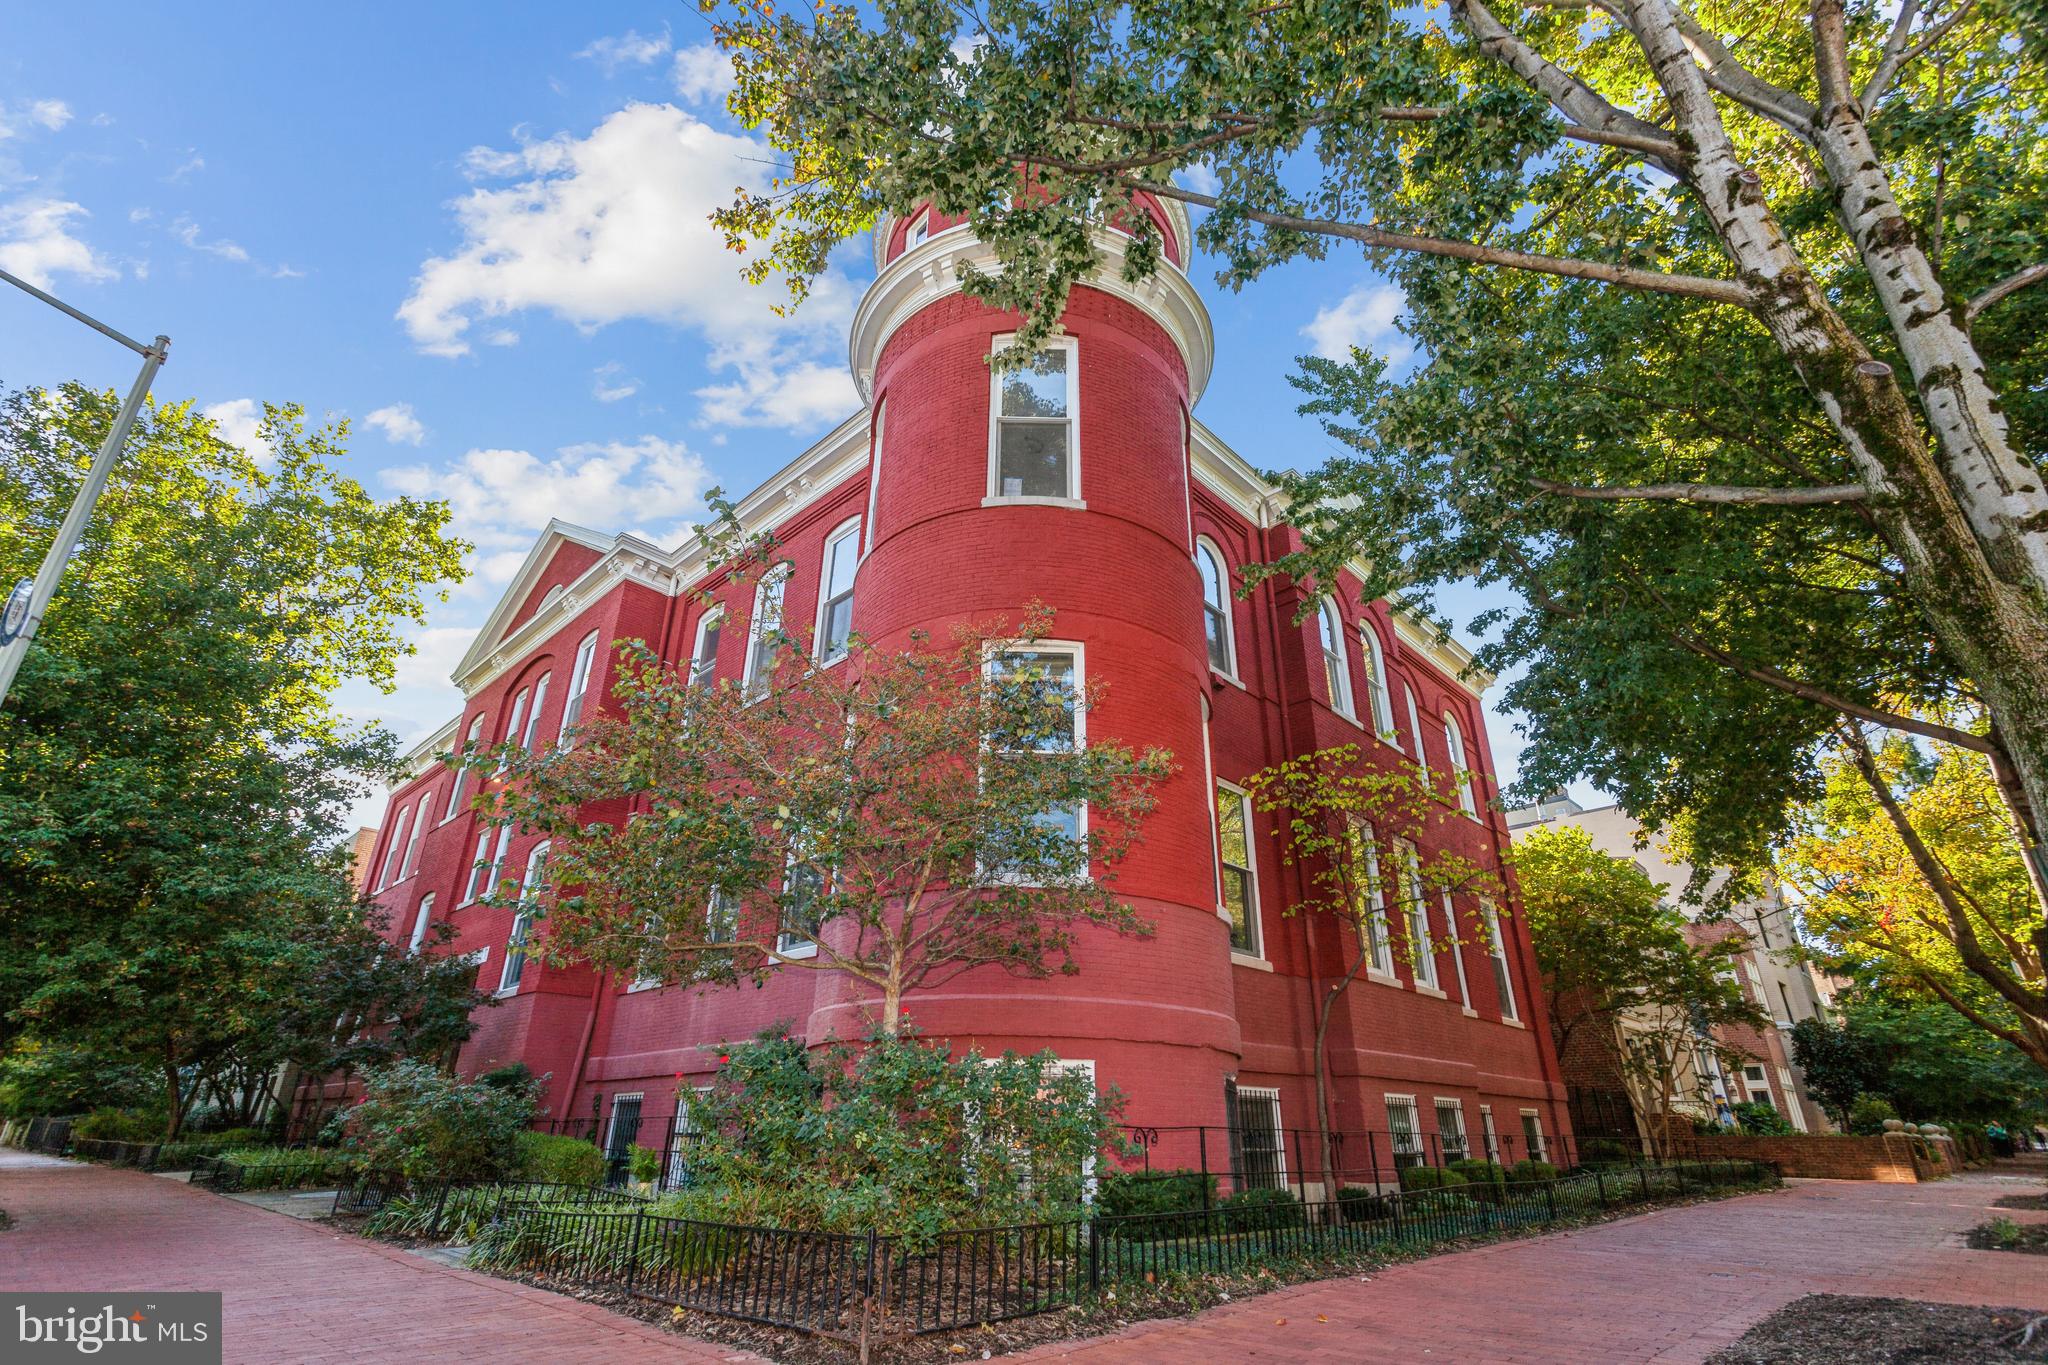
1668 1286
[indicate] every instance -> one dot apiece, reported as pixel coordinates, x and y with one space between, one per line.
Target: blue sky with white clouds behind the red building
478 232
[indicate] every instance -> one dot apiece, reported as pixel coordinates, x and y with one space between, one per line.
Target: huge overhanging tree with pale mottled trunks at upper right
1732 324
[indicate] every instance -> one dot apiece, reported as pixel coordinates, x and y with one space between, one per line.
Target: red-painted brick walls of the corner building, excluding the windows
1168 1018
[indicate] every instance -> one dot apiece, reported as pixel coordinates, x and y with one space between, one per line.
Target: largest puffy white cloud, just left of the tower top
615 226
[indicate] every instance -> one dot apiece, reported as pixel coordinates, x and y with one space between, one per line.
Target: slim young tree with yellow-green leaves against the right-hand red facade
1338 820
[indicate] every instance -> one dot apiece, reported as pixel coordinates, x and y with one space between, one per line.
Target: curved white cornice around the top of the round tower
933 269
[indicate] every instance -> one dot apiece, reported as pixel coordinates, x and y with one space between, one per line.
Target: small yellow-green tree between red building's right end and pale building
1619 959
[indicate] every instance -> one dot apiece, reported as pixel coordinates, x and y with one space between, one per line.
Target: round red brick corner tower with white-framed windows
1062 482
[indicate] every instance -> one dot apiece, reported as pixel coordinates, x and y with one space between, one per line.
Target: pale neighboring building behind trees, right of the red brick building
1773 977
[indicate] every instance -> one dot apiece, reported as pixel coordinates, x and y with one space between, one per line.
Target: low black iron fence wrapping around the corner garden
869 1284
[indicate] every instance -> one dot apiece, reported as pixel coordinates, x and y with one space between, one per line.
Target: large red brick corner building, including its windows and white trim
955 496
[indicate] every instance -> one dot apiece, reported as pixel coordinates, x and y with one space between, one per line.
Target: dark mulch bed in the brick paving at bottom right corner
1838 1329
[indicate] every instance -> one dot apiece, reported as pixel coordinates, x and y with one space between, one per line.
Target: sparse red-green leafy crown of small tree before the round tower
902 818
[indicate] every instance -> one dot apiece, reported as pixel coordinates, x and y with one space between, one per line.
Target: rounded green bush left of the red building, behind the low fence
427 1127
